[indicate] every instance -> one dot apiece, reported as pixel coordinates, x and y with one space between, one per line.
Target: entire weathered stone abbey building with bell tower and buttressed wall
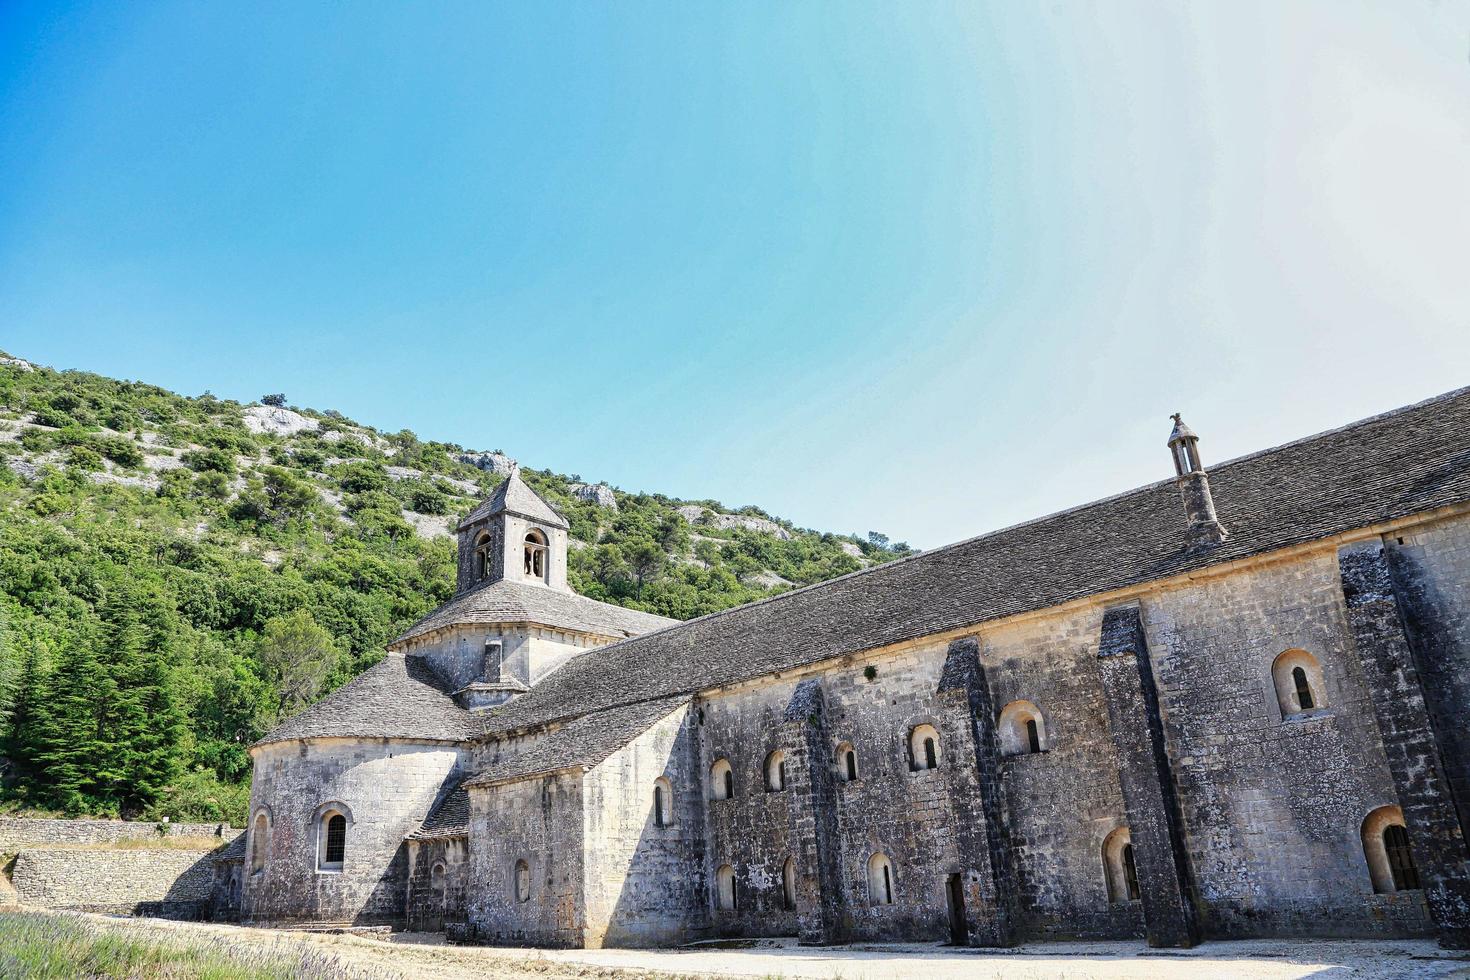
1227 705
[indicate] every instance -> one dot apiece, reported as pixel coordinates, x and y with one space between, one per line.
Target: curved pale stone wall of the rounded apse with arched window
384 788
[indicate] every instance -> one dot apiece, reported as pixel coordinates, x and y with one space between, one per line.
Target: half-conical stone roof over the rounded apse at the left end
401 699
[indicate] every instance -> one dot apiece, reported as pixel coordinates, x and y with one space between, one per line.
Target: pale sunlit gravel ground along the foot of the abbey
427 956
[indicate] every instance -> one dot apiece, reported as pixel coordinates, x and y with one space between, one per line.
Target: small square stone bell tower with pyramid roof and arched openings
514 537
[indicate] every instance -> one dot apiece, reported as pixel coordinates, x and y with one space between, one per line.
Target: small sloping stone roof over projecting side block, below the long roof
581 743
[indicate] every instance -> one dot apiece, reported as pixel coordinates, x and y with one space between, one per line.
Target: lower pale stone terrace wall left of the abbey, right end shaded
173 884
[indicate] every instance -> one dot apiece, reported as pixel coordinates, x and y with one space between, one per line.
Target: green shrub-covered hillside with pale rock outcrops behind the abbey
179 574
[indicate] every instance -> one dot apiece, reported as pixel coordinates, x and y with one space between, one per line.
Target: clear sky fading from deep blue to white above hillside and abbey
928 270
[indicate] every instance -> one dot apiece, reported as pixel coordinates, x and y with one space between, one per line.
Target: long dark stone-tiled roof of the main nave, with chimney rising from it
1397 465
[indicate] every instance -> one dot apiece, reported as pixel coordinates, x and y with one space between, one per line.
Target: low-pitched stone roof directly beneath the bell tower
509 602
